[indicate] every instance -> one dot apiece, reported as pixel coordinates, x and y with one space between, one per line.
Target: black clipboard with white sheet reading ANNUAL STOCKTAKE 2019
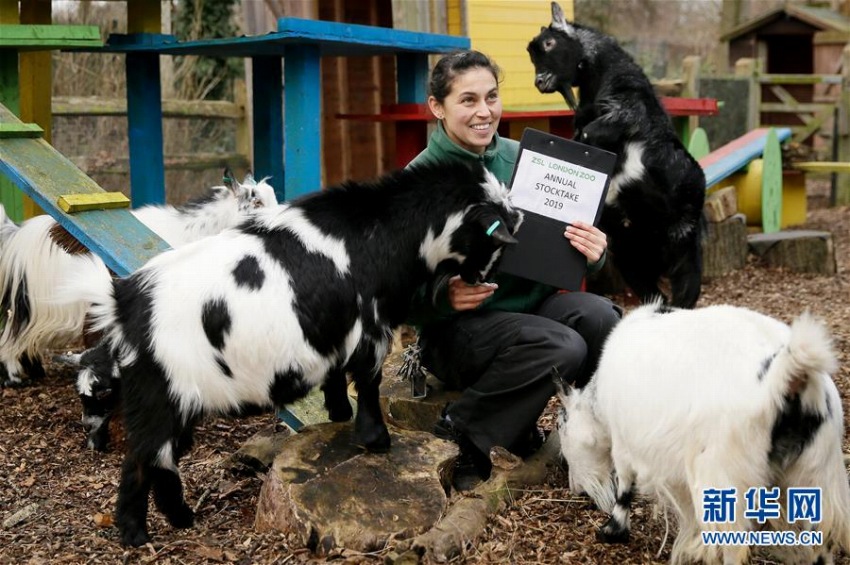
555 181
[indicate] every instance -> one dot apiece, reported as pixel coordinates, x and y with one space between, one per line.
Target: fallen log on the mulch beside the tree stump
466 518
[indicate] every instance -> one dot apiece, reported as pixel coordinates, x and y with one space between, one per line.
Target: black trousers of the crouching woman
505 362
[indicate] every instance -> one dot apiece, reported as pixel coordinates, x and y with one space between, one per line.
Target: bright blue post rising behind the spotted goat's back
302 123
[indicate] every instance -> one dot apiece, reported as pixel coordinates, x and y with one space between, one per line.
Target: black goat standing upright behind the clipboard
654 206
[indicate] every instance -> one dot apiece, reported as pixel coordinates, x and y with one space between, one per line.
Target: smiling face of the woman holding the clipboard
472 110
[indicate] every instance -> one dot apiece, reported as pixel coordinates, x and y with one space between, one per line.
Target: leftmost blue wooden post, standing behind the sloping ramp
144 127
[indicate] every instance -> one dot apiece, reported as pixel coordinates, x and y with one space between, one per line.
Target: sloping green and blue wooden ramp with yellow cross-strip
123 242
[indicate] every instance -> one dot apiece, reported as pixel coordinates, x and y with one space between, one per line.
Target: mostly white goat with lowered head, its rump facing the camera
686 401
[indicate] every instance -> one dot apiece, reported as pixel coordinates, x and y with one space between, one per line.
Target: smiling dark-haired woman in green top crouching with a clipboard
500 343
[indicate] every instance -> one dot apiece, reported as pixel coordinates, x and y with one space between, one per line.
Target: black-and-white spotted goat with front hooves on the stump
292 299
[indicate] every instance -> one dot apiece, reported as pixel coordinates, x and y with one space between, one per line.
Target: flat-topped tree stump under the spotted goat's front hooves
330 494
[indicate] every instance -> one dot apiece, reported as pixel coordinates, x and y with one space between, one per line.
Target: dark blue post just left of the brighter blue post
267 86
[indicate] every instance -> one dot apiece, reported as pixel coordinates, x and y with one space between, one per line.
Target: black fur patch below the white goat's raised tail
792 431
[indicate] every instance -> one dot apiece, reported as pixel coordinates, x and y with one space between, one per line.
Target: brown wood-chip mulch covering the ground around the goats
57 498
